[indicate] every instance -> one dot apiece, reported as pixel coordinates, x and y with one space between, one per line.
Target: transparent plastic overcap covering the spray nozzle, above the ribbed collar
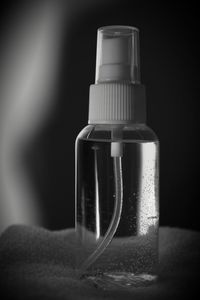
117 54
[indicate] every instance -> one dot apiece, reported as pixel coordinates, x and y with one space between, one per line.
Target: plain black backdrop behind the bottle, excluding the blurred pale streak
170 68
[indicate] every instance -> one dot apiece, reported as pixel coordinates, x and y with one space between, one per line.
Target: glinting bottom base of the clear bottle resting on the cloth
117 280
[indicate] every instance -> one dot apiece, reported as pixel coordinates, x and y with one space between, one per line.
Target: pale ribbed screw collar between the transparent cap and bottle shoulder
117 103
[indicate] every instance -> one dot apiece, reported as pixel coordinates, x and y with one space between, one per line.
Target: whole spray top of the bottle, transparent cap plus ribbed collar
117 97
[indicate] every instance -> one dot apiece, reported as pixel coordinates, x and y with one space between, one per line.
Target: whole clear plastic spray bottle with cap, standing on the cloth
117 207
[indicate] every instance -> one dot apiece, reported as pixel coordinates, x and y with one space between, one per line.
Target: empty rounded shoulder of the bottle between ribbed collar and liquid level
127 132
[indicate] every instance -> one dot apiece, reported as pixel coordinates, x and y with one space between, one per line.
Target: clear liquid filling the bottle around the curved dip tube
131 257
